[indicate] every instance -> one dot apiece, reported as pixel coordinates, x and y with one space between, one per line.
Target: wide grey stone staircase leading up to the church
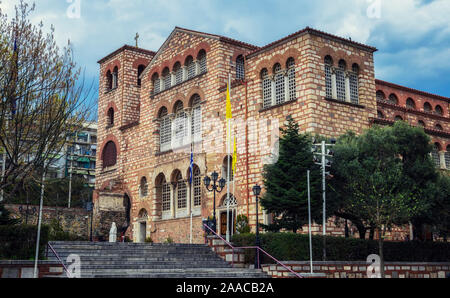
149 260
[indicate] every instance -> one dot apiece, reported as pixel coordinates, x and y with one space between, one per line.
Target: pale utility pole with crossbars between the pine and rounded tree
324 164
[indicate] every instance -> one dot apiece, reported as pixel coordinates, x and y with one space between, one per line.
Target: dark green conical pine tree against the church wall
286 195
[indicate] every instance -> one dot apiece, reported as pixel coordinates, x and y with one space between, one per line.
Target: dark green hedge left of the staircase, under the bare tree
18 242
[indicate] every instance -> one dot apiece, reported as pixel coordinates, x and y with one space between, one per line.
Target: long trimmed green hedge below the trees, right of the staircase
295 247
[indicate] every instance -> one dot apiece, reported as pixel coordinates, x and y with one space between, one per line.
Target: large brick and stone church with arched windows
154 107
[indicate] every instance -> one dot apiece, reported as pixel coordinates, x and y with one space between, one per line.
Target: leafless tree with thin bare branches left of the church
44 98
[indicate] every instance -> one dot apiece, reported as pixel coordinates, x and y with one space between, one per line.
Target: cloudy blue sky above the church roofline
412 36
